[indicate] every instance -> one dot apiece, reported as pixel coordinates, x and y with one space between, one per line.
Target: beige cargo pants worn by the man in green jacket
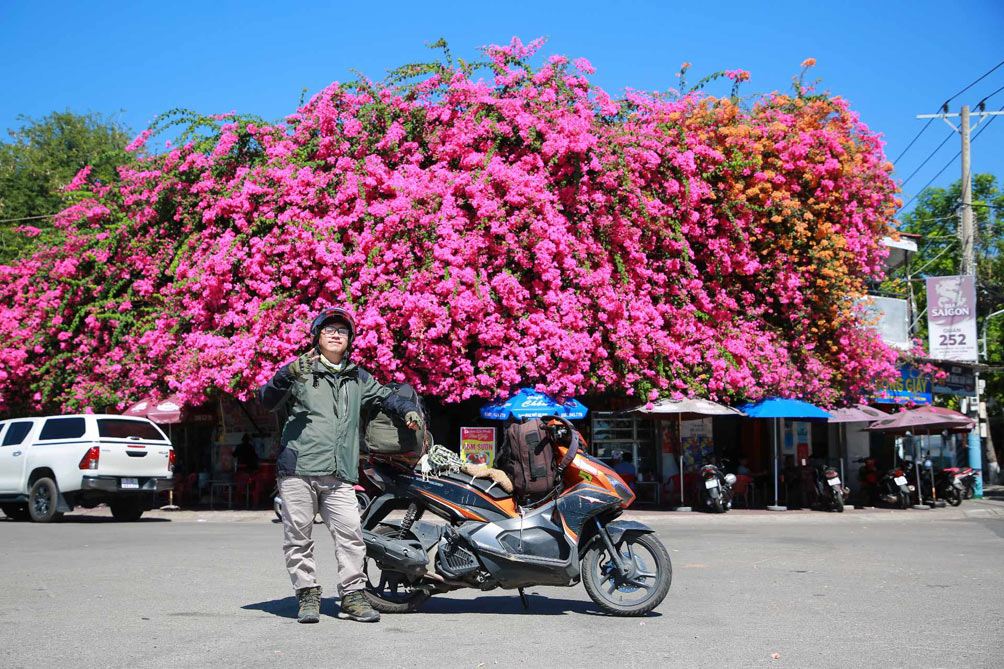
303 497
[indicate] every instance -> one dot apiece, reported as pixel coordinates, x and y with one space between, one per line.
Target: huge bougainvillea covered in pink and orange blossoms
490 227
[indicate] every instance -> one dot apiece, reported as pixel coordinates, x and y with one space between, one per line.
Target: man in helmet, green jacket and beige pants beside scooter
319 465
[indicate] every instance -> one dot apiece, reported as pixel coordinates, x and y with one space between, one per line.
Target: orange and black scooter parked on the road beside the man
489 542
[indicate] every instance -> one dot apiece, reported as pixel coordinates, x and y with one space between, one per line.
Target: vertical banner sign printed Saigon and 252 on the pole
952 318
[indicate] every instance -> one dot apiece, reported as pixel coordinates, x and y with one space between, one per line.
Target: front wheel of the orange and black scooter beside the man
644 587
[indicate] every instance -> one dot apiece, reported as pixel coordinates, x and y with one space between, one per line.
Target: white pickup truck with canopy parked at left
50 466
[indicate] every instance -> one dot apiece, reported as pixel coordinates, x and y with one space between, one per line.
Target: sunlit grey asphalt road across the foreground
892 589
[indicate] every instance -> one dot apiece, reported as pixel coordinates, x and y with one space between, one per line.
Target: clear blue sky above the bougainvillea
137 60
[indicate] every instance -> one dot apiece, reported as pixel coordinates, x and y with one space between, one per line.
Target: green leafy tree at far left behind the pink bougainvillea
42 157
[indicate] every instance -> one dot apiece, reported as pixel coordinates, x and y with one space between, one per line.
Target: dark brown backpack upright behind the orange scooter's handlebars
528 457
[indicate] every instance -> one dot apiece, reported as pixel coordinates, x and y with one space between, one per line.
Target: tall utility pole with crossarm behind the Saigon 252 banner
967 236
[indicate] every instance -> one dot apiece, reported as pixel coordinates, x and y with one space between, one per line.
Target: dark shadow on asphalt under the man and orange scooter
494 606
